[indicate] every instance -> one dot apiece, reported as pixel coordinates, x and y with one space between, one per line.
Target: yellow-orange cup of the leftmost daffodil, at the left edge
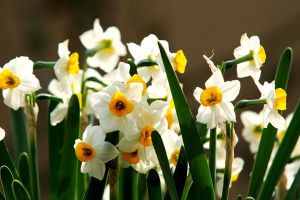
8 80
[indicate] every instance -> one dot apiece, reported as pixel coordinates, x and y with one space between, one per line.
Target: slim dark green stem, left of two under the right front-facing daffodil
212 155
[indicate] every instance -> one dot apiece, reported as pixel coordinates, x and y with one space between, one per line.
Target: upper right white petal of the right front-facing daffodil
230 90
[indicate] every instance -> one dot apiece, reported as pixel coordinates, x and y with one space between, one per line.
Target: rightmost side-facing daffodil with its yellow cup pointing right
276 100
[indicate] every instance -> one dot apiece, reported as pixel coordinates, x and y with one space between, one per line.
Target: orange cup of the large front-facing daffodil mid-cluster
119 105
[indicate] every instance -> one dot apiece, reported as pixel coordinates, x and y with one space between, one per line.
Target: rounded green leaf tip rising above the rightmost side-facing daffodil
284 69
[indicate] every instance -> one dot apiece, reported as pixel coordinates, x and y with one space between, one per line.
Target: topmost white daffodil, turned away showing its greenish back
107 44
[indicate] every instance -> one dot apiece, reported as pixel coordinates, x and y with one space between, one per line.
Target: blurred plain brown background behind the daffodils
35 27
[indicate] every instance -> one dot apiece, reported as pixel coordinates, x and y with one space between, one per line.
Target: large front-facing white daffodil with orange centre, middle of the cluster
114 106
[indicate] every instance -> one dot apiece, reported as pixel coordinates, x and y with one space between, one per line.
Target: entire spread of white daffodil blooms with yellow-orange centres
132 99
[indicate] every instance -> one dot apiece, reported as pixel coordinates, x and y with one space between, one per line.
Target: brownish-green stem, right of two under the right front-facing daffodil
229 160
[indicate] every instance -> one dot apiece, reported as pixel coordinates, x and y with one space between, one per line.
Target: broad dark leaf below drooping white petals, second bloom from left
55 143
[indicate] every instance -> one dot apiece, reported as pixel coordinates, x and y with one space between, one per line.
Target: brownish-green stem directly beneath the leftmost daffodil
31 120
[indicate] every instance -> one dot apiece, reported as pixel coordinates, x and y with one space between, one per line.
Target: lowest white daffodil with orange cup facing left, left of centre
94 152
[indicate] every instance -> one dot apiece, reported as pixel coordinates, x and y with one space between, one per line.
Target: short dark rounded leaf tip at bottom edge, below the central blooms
153 185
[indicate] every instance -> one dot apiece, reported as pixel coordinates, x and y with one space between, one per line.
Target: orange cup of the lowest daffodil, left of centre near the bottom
84 152
